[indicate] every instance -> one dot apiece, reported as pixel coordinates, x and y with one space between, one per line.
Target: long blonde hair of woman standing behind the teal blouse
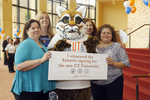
50 30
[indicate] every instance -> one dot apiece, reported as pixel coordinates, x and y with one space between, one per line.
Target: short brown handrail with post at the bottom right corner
137 85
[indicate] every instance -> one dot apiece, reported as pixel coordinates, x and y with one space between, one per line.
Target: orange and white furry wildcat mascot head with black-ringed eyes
71 25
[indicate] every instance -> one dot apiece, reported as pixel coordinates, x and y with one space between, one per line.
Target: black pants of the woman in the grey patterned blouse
112 91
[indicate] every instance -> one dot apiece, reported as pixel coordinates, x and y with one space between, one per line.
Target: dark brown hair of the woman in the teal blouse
27 26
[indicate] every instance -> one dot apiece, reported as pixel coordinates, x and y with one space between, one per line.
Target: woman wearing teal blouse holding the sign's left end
31 61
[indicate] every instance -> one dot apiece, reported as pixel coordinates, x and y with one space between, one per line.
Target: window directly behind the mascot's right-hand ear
91 8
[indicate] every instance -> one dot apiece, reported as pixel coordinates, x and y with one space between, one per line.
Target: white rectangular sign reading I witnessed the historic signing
77 66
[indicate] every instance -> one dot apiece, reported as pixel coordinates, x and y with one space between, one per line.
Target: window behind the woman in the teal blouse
22 11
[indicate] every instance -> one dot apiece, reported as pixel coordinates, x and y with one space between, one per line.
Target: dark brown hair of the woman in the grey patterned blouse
111 28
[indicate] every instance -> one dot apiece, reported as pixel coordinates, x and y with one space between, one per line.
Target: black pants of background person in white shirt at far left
11 62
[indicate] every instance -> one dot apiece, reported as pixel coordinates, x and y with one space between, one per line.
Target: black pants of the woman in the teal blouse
31 96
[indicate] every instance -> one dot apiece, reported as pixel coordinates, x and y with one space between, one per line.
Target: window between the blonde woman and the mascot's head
51 10
